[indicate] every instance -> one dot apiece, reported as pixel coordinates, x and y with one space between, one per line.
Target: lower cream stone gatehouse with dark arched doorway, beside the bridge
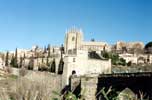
81 64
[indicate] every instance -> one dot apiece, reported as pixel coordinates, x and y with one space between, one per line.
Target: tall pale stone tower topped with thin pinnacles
73 40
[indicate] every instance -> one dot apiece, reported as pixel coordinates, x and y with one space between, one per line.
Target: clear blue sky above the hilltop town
24 23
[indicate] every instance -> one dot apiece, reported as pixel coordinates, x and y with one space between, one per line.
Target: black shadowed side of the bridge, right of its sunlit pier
136 82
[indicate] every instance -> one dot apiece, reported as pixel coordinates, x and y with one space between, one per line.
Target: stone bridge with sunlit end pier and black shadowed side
136 82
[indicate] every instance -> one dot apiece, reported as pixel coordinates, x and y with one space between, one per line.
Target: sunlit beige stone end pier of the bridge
88 86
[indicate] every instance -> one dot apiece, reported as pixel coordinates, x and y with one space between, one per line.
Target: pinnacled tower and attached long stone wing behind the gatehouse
74 41
